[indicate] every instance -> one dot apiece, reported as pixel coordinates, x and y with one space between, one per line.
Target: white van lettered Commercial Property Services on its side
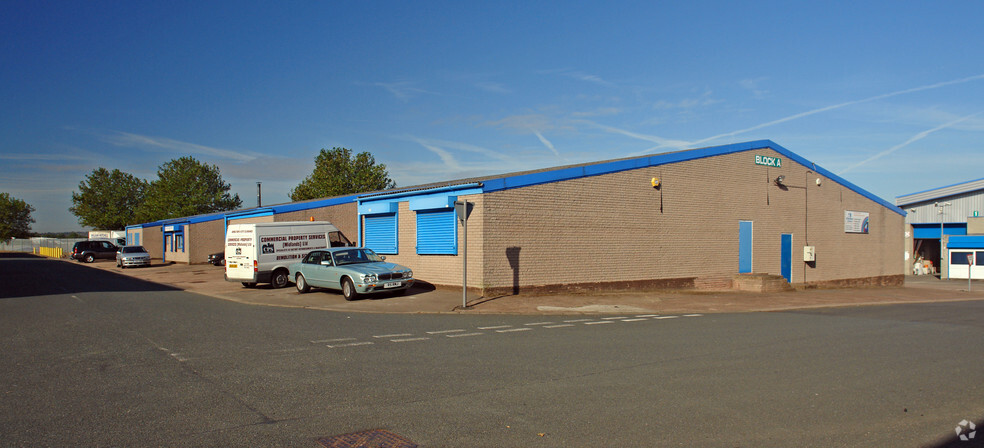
260 252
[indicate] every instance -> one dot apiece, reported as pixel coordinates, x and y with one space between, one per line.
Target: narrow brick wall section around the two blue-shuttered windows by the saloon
442 270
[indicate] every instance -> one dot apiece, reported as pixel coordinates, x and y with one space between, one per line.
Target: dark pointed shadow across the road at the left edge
26 275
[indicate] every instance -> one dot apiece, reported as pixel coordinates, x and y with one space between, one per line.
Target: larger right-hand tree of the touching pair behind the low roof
186 187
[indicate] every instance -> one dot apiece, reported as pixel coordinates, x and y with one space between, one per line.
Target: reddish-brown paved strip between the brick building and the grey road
426 298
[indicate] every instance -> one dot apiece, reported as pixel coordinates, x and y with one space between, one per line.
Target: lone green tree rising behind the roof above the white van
337 173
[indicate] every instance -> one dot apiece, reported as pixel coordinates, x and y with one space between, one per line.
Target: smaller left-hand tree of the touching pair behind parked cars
108 200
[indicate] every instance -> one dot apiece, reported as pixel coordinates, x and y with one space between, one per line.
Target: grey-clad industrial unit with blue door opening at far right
943 227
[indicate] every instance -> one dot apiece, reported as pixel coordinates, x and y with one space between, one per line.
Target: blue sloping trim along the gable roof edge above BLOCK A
568 173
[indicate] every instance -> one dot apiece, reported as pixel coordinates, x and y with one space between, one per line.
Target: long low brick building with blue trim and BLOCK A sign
702 218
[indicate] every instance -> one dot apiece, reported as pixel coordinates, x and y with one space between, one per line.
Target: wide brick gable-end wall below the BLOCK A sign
618 228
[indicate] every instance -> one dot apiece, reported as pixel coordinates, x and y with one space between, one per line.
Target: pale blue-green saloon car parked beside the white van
352 270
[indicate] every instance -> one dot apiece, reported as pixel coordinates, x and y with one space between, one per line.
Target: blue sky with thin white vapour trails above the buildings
890 95
